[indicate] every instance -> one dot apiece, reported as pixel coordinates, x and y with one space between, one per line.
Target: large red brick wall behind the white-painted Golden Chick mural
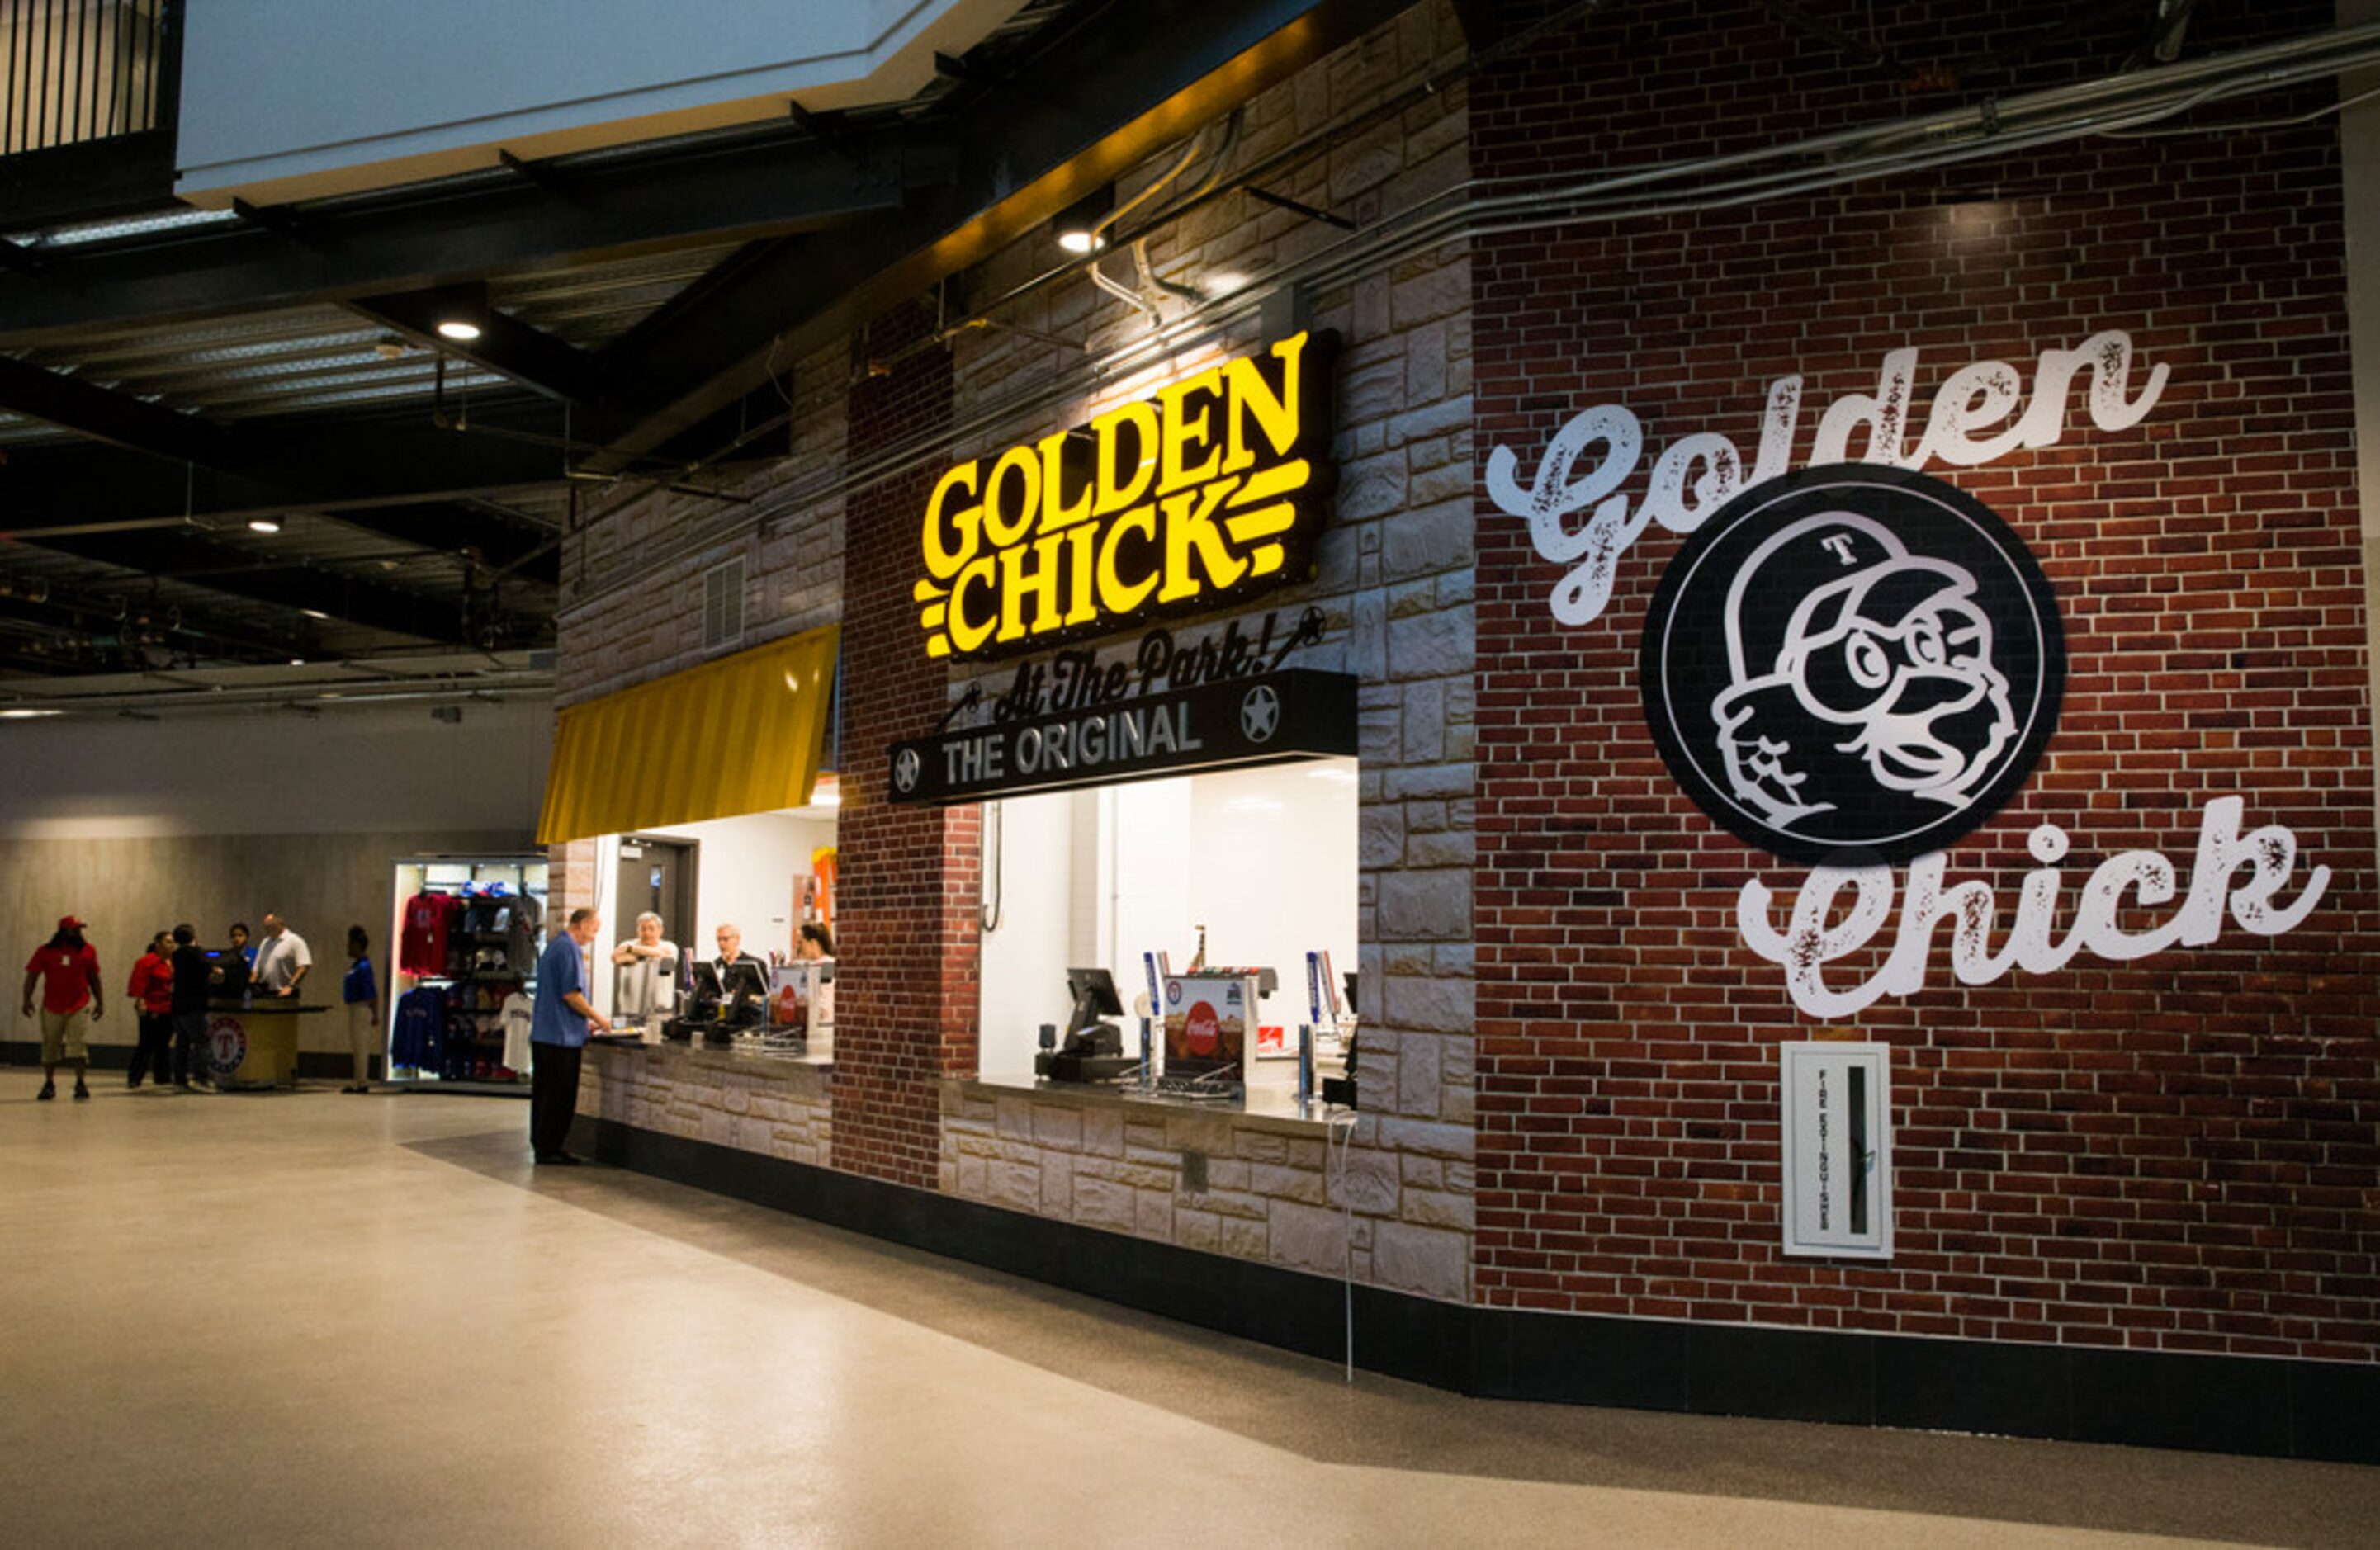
2172 1154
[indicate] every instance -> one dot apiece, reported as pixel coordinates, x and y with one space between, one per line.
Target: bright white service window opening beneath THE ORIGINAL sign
1258 861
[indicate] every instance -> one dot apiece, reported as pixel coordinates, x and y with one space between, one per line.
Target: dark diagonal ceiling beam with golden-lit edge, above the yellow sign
1046 132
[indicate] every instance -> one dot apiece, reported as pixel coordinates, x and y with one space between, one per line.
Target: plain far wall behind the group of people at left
206 820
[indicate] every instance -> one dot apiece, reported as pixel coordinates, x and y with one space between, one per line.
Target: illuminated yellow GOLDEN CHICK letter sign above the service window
1210 489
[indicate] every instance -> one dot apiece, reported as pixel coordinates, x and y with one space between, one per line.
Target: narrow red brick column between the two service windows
908 892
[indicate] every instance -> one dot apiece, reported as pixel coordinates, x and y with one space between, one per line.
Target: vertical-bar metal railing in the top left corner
82 70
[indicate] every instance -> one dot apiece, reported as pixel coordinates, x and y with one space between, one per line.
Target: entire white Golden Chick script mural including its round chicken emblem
1858 665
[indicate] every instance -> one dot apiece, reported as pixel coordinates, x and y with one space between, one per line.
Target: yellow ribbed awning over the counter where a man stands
718 742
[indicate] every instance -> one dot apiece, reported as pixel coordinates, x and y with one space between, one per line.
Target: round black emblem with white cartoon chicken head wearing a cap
1853 661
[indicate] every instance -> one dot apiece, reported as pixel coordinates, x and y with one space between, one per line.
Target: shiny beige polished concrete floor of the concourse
344 1320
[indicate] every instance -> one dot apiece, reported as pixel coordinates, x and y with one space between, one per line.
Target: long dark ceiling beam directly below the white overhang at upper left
430 237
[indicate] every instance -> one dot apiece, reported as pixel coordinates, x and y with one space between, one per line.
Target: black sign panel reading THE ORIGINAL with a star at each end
1234 723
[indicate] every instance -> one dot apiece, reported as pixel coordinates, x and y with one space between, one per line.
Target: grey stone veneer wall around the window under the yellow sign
1396 592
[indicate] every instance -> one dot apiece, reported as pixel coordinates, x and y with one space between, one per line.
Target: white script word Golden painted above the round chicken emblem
1977 418
